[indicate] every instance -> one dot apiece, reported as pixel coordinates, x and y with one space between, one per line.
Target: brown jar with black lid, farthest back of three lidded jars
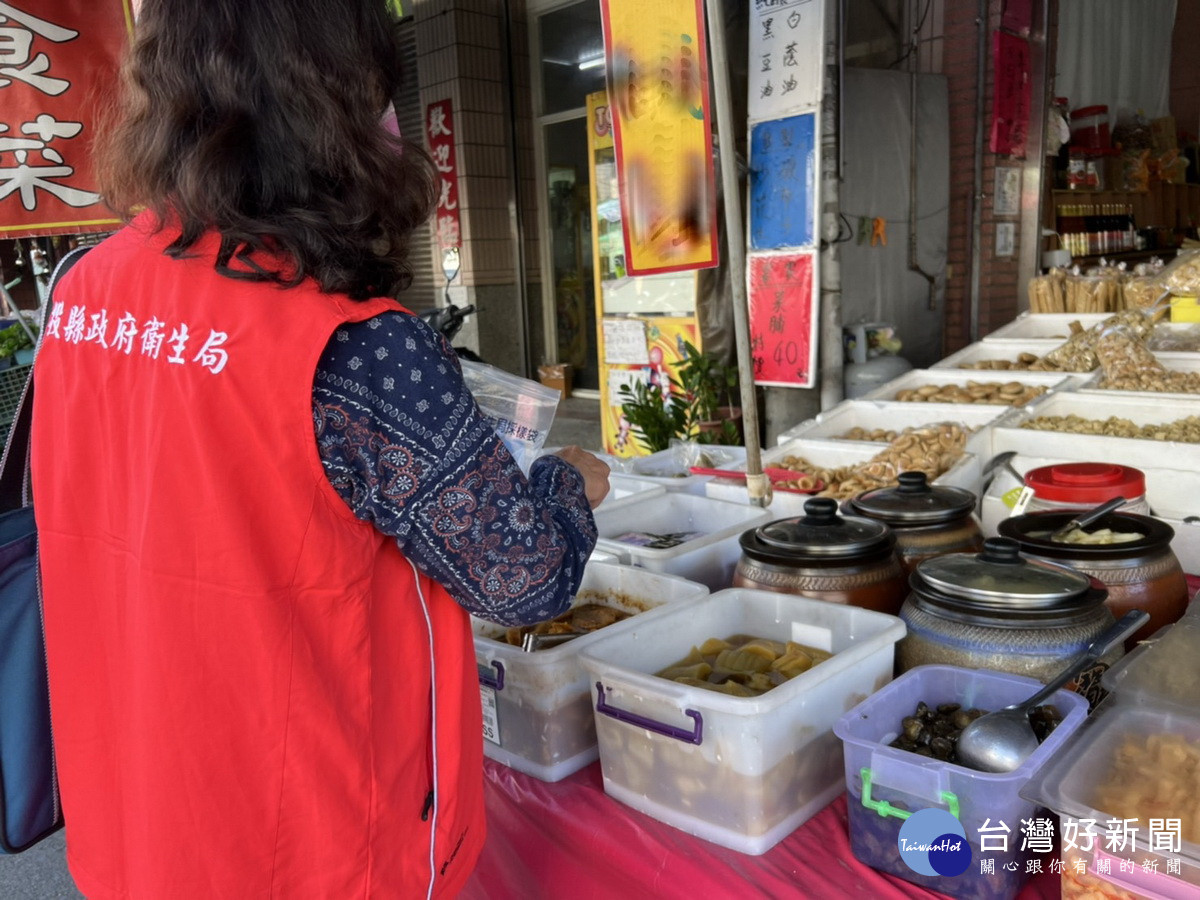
928 520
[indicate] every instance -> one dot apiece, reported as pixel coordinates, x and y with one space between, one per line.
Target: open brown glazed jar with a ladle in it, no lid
1139 575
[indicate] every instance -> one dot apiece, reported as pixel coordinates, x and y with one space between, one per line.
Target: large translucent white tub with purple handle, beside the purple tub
740 772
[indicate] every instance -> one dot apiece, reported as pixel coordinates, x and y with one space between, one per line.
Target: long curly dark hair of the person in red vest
261 121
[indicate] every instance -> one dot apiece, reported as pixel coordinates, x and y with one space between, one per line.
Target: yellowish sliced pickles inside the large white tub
743 667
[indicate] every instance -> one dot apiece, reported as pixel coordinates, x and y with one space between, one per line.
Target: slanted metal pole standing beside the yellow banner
758 485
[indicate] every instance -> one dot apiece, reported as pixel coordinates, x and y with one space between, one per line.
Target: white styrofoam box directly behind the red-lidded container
1174 496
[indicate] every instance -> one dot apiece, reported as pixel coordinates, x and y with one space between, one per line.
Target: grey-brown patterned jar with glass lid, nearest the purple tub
1003 611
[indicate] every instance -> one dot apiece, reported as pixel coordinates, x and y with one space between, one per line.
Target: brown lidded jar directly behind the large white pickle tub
844 560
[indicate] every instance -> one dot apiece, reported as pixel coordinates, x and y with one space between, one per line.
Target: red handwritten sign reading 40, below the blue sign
783 319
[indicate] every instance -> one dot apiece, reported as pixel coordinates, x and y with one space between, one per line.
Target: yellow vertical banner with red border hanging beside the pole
658 82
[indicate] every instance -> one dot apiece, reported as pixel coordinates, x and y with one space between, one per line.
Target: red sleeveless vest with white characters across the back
244 677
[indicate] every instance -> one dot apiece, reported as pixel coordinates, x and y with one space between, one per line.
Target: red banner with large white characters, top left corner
58 67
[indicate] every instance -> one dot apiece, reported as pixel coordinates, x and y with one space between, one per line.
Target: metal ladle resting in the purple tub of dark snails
1003 741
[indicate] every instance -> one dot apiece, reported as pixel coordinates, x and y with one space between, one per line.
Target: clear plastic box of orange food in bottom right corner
1125 789
